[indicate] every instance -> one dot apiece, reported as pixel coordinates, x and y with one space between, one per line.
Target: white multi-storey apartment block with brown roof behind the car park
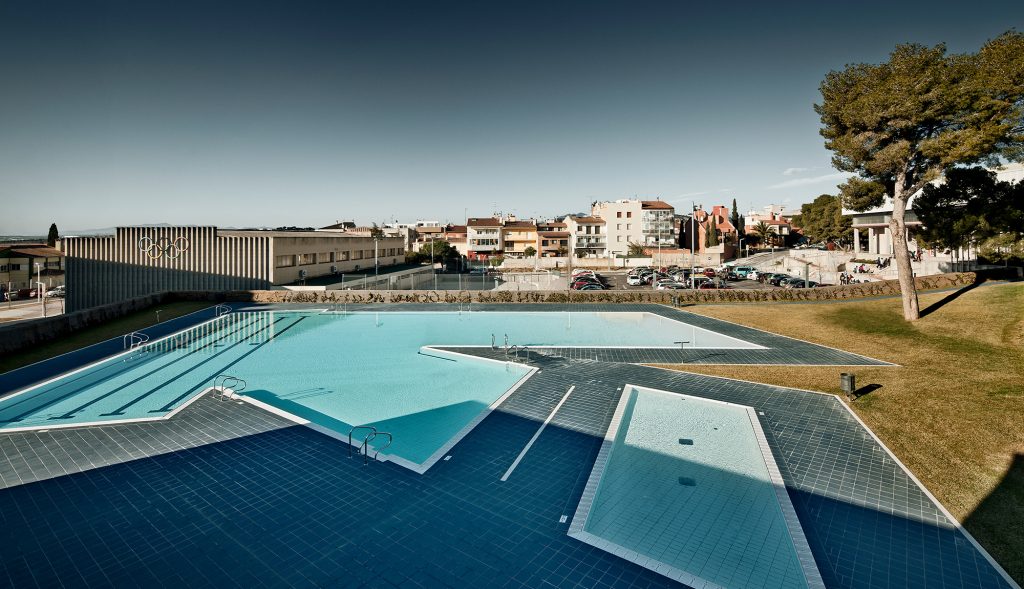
628 222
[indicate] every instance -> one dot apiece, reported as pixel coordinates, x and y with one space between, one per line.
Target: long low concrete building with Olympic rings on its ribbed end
138 262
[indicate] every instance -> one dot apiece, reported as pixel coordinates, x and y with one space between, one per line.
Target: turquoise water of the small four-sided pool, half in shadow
686 485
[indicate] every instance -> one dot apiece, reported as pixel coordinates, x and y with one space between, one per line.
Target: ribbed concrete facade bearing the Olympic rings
138 262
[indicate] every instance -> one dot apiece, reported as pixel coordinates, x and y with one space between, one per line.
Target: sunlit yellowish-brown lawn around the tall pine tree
953 412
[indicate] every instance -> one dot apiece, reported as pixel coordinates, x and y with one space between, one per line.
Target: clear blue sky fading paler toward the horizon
303 113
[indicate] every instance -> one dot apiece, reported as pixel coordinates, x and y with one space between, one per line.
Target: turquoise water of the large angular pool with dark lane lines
338 370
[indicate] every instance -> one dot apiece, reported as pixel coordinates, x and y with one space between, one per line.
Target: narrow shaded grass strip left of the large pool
90 336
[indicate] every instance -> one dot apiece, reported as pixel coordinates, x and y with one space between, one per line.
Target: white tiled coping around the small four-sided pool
804 556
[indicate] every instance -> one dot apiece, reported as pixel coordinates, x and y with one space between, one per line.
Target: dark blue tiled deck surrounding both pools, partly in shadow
227 495
